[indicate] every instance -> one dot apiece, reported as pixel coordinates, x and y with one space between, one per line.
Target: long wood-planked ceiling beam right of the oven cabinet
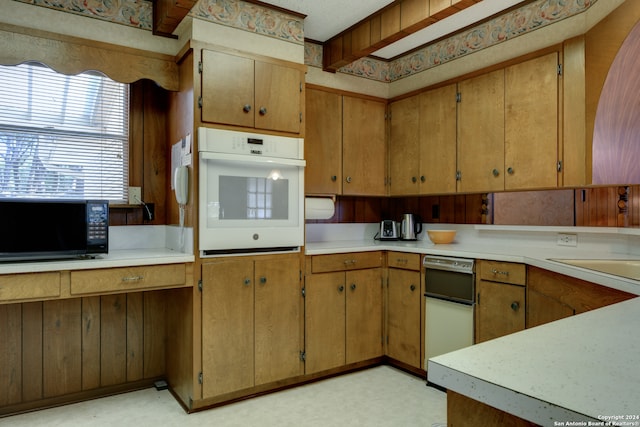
386 26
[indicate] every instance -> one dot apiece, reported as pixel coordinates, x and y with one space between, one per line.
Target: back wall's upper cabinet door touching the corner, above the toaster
363 147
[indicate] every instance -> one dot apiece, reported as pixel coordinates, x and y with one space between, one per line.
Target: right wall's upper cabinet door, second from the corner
438 141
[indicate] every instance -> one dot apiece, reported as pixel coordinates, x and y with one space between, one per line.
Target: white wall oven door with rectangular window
244 208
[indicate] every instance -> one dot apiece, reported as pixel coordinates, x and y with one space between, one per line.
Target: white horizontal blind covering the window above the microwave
64 137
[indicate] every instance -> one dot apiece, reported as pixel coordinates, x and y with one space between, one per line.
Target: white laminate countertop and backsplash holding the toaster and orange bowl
528 245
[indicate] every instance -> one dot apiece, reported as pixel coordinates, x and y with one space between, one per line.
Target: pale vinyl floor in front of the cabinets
381 396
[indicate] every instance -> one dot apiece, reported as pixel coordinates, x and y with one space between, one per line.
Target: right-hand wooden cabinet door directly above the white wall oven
277 97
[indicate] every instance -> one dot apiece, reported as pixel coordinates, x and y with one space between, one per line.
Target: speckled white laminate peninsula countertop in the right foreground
583 368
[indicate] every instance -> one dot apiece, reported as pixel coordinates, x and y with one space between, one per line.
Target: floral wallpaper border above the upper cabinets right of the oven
523 20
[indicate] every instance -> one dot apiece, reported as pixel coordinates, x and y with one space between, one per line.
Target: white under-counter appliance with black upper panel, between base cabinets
449 304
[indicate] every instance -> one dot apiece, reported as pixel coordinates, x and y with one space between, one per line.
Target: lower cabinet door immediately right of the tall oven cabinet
324 321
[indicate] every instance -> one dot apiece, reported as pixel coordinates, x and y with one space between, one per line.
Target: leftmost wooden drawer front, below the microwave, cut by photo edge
14 287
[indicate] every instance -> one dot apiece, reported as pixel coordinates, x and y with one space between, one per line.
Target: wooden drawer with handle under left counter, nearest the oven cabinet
127 279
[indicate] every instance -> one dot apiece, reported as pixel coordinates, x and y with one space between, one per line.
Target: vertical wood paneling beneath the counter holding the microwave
58 351
